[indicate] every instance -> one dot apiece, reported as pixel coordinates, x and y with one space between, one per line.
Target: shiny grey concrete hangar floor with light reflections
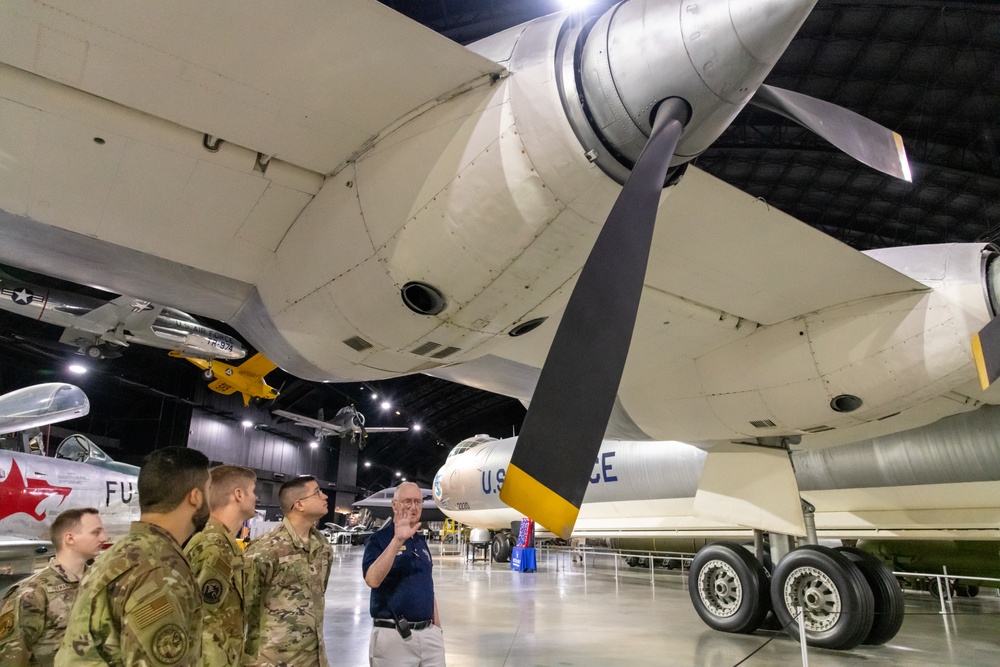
568 615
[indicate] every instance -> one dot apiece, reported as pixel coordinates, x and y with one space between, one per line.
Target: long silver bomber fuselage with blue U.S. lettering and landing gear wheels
930 496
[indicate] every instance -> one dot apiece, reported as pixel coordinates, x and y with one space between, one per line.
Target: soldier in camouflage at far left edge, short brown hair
34 613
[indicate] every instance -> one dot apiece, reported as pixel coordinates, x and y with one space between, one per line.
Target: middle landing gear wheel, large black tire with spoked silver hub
839 607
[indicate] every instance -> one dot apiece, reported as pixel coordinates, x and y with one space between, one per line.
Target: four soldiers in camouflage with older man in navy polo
151 601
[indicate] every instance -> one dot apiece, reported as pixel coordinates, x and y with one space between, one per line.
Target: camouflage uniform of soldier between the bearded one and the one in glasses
217 564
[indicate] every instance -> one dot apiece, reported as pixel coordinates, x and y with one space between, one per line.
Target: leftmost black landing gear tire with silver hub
729 588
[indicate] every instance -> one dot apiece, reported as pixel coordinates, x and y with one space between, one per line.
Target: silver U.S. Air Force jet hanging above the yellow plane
99 329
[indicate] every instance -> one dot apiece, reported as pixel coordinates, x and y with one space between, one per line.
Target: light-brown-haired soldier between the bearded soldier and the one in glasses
217 563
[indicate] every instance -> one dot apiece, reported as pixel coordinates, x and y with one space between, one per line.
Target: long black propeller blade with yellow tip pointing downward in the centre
579 381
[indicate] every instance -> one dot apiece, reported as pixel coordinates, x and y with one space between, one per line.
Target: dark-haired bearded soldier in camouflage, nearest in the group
139 604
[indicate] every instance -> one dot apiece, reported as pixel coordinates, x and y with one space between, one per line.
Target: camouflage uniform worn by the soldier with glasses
285 621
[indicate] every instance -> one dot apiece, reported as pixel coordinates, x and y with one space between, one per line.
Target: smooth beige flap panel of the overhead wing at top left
298 81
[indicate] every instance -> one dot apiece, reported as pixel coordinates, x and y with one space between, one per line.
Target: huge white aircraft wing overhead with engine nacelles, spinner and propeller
491 215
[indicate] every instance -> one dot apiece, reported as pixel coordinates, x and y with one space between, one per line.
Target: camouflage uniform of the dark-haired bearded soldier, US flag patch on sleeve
138 605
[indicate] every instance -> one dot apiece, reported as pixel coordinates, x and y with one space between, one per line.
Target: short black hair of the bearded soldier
168 476
